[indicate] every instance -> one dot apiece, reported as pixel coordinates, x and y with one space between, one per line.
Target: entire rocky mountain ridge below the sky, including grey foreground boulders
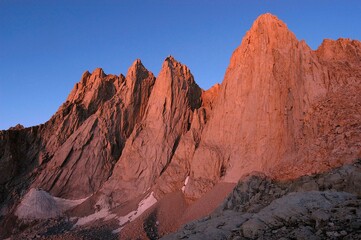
138 156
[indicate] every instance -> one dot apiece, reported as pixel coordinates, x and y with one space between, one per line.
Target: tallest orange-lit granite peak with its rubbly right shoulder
278 109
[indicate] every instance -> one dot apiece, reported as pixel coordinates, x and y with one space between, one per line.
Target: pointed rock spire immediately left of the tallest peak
151 146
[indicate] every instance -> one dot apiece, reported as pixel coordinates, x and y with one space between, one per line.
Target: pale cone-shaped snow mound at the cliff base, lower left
39 204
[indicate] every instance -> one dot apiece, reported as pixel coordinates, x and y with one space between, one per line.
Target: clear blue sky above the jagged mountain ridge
46 45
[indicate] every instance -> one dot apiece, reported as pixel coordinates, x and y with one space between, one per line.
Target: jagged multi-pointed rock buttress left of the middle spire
107 108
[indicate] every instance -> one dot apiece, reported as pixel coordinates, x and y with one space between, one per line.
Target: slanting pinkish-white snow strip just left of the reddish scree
146 203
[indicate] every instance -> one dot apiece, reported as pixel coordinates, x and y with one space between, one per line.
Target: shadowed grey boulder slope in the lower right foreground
323 206
